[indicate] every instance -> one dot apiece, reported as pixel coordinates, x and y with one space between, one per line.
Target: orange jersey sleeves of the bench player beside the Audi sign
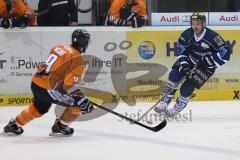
116 5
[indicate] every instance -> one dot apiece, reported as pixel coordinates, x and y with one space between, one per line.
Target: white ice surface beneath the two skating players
213 133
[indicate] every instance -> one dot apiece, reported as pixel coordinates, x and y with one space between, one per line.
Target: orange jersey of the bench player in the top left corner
18 9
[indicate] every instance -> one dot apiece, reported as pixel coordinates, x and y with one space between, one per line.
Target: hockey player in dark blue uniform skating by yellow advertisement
200 52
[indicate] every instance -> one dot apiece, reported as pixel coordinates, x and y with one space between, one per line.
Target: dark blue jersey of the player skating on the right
209 49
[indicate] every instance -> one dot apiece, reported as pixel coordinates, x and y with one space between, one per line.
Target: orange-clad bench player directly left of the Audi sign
127 13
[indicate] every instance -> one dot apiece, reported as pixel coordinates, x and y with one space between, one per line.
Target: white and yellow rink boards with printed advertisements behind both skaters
123 64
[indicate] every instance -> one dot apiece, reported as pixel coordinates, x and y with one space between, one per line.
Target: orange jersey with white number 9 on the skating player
64 66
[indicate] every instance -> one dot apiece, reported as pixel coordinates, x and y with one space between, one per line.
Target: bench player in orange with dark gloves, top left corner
14 13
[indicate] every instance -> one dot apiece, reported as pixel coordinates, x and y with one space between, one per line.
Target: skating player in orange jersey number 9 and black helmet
52 83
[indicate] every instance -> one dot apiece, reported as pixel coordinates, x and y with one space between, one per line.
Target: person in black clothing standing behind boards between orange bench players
57 13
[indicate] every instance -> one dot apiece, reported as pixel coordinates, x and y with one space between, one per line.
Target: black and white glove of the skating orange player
83 103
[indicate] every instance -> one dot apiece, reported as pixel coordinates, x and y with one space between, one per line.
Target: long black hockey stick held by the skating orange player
154 129
